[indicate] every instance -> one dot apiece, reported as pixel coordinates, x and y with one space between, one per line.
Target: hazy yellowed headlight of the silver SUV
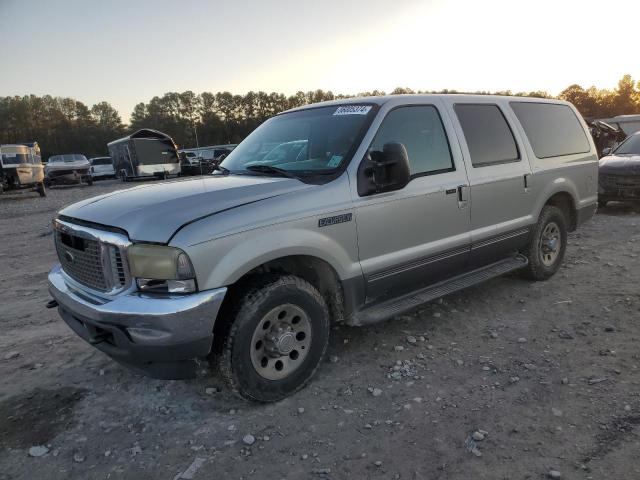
161 269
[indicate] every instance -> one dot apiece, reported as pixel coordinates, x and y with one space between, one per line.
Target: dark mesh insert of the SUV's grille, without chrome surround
81 258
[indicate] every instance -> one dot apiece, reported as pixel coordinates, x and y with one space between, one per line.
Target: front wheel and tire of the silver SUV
253 346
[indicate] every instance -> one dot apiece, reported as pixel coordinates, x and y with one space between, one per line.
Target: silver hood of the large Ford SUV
153 212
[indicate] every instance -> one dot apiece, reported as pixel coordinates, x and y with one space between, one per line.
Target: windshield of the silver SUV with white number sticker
318 140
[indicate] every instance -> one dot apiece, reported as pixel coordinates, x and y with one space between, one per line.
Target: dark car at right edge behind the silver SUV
619 172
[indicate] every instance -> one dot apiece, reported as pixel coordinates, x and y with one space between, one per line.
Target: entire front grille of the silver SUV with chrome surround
90 260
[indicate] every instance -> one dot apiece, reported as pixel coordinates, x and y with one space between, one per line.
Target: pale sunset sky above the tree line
127 51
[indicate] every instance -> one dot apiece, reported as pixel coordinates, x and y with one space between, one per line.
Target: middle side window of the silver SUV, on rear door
488 135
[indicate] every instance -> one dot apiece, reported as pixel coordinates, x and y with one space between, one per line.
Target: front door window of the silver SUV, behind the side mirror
419 128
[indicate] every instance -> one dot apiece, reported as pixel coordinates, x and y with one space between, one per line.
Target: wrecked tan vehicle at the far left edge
20 167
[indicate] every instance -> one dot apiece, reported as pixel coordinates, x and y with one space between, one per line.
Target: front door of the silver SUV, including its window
418 235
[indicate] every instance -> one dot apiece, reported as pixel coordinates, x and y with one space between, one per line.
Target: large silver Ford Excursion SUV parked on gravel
393 202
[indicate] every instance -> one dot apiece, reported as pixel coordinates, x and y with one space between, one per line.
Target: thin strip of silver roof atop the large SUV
409 98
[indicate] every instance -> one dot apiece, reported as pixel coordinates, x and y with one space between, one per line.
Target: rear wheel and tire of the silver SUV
545 257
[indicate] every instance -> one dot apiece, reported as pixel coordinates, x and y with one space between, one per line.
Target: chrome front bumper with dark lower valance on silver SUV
159 336
